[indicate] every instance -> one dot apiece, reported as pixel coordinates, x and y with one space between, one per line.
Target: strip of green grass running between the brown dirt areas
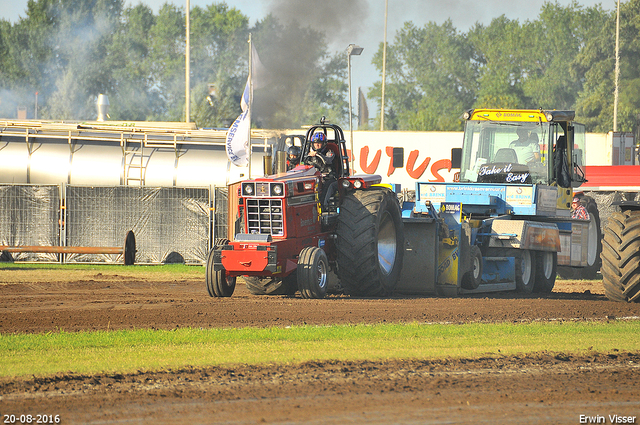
146 350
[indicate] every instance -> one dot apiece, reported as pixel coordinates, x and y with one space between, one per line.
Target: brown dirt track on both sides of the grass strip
543 388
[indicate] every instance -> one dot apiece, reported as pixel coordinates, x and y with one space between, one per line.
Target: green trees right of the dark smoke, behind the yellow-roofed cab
563 59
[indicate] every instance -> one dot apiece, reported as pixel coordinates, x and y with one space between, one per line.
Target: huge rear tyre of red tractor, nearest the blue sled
369 242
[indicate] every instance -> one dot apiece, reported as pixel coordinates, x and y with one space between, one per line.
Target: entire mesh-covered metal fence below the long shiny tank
171 224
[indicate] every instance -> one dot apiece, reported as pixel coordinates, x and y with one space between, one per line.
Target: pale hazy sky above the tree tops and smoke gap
360 22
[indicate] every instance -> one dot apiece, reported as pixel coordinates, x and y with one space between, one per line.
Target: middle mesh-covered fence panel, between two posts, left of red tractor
171 224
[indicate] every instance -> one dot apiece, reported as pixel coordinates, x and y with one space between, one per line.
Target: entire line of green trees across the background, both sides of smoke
69 51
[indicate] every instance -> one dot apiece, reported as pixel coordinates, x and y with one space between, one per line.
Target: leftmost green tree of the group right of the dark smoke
431 77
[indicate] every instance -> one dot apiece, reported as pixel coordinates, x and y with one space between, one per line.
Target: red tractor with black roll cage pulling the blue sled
304 223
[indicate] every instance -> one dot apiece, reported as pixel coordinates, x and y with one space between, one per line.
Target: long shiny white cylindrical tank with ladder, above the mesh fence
117 153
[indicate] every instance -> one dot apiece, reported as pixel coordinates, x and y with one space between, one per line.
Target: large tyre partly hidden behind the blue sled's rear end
594 263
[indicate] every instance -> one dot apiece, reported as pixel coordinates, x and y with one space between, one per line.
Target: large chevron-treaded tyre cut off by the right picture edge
621 257
